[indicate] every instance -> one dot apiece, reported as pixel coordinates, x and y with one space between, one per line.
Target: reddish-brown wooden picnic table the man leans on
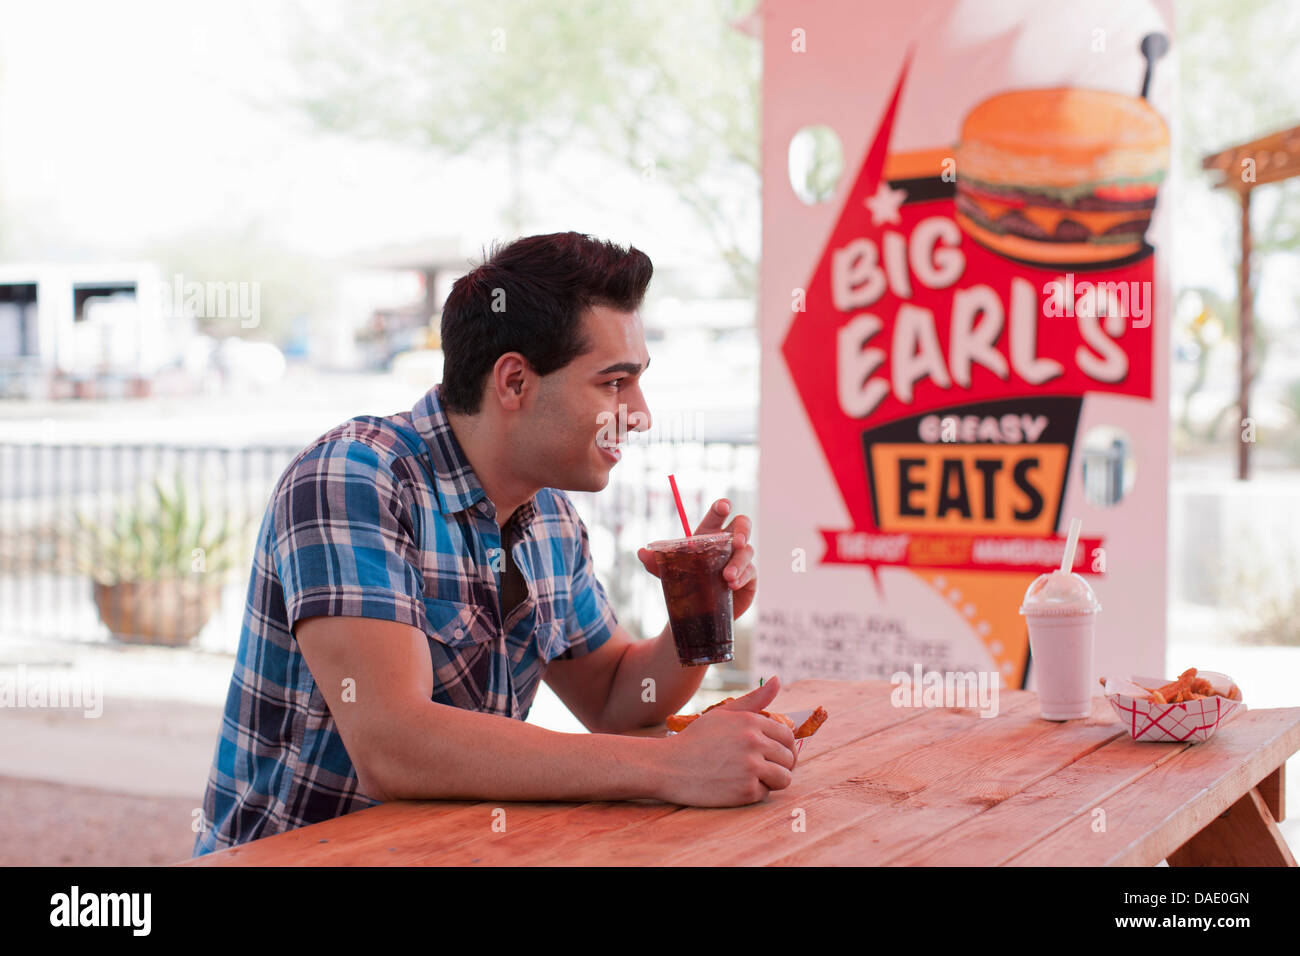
882 785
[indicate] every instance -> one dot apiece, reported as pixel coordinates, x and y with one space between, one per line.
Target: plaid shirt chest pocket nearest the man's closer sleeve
463 650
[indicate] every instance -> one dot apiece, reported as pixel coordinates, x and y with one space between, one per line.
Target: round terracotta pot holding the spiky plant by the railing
168 612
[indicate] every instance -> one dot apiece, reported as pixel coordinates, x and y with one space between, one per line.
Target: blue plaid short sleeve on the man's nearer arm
345 544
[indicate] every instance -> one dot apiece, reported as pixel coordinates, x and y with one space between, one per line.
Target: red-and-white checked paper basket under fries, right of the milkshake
1189 723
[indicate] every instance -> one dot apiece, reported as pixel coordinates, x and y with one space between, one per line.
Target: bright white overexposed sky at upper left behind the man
129 124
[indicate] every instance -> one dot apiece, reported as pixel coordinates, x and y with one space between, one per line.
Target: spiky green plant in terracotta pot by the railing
158 568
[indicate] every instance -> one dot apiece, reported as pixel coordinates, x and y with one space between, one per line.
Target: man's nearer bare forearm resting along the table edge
445 754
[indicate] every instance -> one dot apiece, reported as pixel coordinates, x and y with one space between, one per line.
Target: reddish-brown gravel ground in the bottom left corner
57 825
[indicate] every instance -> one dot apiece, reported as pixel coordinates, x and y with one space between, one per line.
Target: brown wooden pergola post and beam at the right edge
1269 159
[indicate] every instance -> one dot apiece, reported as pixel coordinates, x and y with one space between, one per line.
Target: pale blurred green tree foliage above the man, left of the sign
670 90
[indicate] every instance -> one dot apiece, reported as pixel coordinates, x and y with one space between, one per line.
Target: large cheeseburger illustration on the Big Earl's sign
1061 176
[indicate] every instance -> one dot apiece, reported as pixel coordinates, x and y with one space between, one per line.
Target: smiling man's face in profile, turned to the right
577 430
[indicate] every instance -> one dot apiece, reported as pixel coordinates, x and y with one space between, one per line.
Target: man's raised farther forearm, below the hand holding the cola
631 703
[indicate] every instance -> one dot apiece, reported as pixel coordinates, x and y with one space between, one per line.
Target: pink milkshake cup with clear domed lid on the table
1061 612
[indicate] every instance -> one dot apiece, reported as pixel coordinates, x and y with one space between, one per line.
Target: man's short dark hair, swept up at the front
530 297
